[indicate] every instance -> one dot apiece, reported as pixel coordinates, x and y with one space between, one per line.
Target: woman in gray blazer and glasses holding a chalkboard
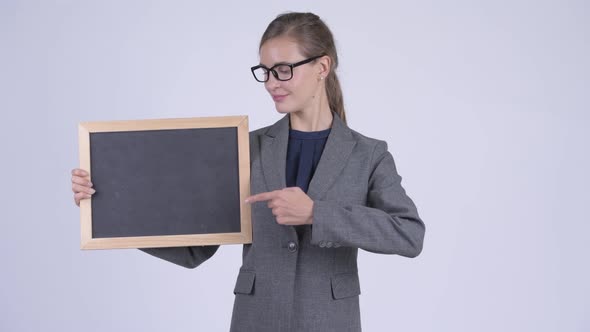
300 272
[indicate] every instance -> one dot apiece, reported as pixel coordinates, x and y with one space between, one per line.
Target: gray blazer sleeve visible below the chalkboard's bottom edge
189 257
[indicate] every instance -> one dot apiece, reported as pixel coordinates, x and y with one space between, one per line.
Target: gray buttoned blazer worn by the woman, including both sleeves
287 284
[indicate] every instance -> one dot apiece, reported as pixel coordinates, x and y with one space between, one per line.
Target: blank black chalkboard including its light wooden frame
171 182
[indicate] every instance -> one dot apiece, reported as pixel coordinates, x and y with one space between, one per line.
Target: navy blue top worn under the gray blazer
303 155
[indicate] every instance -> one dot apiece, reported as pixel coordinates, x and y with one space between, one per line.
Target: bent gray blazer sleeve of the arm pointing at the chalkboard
388 224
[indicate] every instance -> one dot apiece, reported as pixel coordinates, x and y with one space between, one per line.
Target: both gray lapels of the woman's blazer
338 147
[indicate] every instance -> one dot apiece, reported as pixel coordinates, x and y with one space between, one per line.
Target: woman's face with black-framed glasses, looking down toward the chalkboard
302 91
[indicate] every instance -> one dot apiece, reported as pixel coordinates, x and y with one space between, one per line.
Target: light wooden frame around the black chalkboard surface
85 130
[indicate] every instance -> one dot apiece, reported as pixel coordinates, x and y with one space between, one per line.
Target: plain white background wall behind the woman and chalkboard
484 105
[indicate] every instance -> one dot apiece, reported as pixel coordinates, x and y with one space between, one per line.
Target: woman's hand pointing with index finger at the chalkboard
290 206
